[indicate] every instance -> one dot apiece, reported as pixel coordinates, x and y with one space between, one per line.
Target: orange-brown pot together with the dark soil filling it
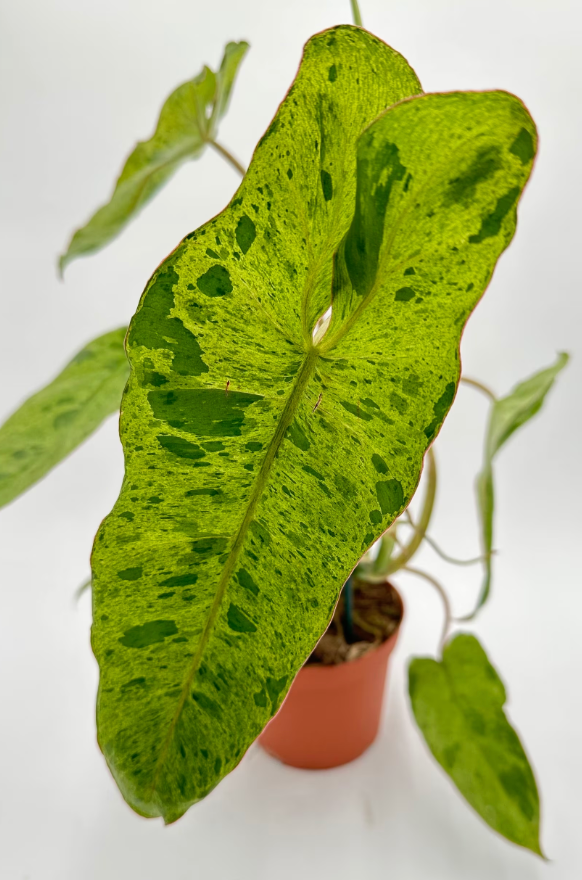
332 712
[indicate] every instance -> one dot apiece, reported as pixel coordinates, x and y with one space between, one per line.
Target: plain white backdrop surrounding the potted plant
80 82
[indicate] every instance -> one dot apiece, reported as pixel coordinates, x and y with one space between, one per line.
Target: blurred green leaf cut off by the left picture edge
56 419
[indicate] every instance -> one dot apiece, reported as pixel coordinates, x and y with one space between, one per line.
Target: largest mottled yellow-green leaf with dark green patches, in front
259 466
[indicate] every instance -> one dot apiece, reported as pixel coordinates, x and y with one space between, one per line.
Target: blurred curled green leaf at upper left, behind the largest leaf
188 121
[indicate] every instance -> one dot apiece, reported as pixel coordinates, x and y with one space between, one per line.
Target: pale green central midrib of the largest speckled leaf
305 373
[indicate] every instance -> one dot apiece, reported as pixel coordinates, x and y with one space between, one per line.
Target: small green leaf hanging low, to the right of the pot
458 705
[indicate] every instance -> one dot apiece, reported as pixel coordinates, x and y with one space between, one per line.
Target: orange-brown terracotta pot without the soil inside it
332 713
